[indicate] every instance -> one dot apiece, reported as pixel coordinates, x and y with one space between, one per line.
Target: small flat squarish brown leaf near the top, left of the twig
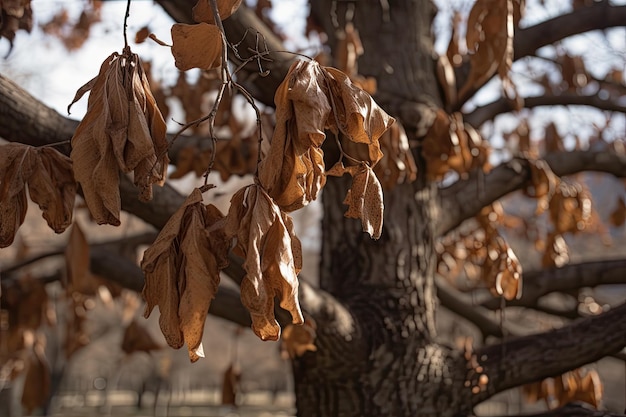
196 46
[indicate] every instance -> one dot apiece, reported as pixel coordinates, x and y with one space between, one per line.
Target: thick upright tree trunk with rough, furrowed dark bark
383 360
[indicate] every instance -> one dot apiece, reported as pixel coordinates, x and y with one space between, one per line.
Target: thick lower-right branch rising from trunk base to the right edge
532 358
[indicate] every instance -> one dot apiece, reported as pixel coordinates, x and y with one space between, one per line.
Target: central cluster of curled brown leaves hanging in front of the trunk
182 266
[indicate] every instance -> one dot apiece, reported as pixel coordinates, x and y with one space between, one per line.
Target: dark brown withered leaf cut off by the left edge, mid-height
50 183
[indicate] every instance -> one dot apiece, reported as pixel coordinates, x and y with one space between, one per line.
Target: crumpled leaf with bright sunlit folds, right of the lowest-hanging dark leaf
266 239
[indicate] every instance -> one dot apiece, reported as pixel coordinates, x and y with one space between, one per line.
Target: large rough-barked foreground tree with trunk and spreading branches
376 346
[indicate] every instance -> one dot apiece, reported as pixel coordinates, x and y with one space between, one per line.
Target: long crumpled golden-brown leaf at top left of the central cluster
293 170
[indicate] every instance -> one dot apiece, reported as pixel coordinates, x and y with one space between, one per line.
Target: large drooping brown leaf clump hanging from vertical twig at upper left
122 129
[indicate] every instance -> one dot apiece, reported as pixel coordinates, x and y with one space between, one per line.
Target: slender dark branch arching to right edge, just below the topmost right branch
489 111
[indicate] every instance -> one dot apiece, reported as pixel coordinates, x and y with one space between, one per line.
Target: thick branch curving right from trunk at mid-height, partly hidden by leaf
465 198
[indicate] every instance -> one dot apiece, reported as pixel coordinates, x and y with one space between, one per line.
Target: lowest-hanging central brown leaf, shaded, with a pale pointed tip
182 272
